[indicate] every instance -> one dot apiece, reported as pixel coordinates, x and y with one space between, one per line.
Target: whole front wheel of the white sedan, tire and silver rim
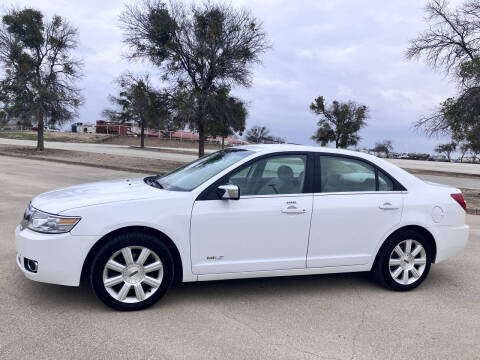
132 271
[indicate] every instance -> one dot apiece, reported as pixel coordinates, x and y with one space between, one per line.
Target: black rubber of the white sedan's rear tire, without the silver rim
381 267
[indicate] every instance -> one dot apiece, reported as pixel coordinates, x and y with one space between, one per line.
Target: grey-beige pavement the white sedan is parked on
343 316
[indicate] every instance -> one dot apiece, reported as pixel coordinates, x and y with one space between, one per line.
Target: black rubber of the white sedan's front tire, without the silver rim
117 243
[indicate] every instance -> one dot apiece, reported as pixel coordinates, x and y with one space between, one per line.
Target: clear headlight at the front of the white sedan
37 220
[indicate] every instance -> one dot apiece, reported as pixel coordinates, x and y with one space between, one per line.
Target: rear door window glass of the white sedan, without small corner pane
341 174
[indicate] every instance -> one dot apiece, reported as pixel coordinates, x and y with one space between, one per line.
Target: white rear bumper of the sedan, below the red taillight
450 241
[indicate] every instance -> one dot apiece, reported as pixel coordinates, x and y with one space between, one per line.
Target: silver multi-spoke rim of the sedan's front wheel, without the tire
133 274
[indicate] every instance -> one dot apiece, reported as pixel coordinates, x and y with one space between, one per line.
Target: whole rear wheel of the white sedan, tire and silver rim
404 261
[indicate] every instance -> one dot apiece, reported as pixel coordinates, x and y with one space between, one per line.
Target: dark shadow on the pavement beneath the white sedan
48 297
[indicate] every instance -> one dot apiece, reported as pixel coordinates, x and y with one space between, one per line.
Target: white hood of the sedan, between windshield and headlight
103 192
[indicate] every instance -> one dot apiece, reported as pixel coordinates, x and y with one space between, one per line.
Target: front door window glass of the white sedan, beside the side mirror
273 175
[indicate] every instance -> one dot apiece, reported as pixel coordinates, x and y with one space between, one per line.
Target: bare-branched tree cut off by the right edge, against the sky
451 43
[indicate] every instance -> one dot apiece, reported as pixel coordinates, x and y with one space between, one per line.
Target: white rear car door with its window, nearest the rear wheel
355 206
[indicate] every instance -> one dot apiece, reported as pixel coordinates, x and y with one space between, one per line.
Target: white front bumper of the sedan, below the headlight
60 257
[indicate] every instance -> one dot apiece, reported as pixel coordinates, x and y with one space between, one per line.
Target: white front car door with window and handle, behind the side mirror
266 229
